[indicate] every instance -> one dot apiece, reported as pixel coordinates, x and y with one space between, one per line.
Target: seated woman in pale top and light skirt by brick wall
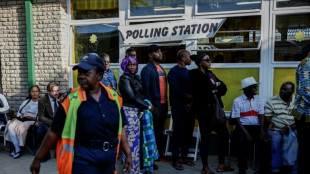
26 116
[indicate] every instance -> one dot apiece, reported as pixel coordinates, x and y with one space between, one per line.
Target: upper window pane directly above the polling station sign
155 7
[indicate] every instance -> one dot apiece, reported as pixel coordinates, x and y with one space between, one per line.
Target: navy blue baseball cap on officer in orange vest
89 61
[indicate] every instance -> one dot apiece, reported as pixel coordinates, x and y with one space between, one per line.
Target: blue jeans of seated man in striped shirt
276 151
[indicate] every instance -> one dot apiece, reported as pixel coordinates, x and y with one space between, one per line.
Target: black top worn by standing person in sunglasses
202 88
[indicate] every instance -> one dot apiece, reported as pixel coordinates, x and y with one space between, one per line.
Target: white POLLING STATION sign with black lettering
170 31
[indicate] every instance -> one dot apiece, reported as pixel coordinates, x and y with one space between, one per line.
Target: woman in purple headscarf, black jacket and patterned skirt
130 87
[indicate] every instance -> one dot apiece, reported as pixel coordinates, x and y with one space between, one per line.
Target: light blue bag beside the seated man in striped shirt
289 148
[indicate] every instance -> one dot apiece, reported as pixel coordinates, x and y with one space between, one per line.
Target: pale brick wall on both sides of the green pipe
50 47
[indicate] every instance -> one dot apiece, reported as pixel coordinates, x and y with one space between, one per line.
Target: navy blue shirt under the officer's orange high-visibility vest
95 121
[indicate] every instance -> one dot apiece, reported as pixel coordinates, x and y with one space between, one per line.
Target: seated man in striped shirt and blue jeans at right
277 113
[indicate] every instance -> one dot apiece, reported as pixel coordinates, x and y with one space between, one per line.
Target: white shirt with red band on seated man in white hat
248 110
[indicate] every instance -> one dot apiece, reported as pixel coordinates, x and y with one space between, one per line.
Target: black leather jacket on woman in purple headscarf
130 87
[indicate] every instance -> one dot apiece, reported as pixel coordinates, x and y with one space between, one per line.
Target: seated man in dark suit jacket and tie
47 108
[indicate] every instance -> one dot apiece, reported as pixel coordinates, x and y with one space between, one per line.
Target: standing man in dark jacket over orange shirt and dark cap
155 89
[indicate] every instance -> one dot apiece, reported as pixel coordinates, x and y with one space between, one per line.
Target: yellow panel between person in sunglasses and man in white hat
232 78
